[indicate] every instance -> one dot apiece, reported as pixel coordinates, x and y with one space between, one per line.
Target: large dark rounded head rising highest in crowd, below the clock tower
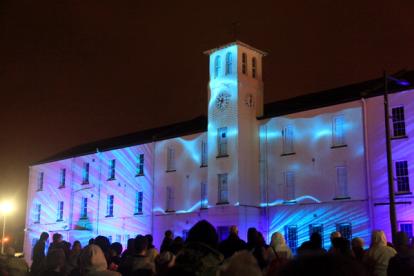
203 232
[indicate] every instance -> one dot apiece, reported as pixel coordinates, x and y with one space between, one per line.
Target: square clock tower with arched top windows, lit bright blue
235 100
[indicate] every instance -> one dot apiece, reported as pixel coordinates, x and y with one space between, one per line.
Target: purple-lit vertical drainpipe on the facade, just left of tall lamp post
367 165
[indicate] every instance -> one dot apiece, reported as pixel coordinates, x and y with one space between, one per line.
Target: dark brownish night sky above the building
77 71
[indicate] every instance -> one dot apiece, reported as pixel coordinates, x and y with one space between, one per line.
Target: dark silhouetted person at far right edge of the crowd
402 264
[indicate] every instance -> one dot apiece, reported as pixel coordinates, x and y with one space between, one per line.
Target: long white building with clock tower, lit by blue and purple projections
311 163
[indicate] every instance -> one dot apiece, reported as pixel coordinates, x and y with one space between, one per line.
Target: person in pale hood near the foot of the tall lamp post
379 254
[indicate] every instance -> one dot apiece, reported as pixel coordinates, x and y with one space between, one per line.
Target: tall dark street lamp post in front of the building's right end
391 192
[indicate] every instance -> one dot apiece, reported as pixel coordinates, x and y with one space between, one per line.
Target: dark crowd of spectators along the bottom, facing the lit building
202 254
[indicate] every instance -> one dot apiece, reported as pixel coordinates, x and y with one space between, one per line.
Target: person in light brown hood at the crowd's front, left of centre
93 262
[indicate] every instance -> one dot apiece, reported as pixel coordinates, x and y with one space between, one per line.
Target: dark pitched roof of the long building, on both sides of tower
325 98
